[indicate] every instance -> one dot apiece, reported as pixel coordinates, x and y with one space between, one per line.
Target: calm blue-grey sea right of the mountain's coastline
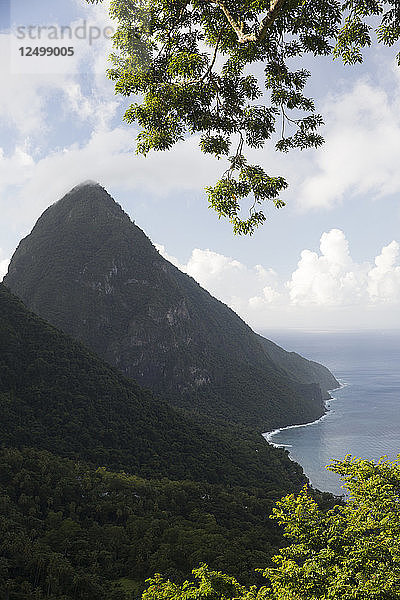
364 415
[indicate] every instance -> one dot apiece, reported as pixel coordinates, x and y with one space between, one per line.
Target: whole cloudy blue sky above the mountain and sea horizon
329 260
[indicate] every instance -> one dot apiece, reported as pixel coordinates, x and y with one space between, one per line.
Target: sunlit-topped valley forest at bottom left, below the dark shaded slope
71 532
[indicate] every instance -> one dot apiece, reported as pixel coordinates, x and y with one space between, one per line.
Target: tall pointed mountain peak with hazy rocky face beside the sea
87 269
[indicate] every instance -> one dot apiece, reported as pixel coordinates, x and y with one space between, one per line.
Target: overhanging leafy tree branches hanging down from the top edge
229 72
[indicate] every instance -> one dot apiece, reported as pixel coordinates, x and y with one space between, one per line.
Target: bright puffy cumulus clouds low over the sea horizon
327 287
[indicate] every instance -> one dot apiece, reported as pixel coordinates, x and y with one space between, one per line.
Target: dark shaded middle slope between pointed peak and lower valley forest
56 396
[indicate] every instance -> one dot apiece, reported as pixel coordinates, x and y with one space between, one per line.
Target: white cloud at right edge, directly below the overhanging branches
362 147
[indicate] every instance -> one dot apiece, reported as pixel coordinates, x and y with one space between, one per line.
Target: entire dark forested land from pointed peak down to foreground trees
197 481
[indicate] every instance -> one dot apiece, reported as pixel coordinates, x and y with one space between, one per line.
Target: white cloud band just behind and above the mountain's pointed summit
108 157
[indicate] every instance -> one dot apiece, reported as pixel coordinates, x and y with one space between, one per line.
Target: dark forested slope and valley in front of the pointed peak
72 531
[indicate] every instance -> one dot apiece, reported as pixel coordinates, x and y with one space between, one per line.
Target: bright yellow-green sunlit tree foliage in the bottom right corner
349 552
